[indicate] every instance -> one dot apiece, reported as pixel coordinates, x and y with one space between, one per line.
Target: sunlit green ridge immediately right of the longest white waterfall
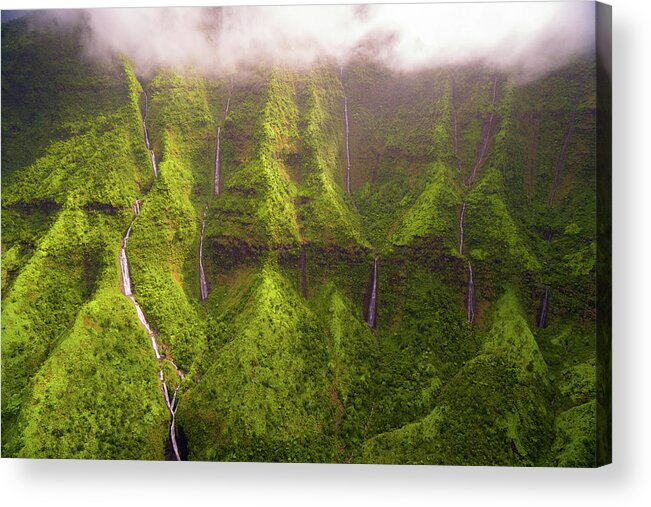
164 233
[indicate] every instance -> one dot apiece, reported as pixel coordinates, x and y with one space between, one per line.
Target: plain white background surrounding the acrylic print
626 482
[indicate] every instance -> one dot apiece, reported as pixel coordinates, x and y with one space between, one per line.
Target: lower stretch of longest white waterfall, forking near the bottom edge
127 291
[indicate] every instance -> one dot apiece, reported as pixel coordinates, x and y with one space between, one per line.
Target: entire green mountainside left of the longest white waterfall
61 243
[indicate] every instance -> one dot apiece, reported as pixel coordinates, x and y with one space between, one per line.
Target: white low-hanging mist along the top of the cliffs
528 38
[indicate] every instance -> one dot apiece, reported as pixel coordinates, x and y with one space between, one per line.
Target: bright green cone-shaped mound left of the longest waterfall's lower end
98 395
